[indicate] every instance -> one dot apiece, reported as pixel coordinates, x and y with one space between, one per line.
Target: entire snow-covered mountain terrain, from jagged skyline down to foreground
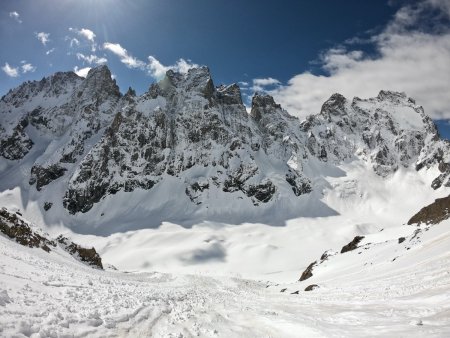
206 216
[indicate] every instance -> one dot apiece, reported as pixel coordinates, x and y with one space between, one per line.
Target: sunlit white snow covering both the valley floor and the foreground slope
222 280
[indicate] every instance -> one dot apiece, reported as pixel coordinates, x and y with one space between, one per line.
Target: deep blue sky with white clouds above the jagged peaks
299 51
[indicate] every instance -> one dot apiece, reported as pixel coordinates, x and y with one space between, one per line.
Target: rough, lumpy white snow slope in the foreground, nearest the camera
53 295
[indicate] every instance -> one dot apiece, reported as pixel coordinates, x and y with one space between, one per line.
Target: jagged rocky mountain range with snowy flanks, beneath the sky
188 148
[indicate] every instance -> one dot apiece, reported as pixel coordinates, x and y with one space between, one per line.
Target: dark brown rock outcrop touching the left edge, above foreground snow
18 230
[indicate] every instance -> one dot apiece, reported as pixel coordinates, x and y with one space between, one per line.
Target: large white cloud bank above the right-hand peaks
408 60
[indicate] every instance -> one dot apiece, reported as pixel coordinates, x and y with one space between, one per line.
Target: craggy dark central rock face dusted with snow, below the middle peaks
140 146
